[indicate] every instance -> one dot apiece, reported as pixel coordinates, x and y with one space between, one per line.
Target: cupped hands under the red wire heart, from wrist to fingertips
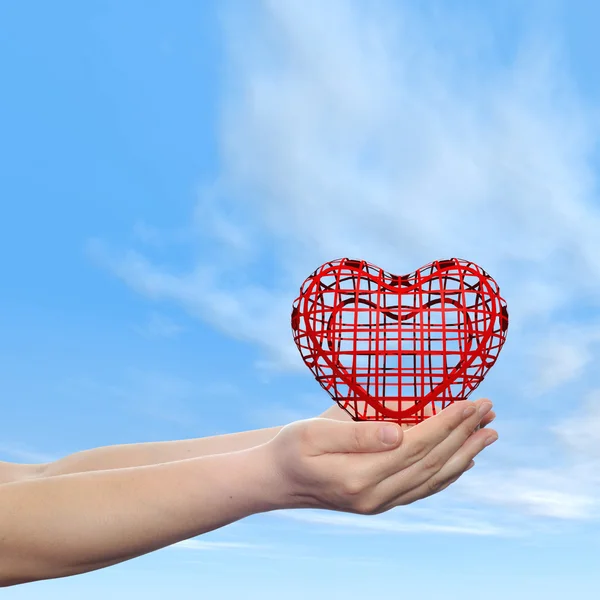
346 465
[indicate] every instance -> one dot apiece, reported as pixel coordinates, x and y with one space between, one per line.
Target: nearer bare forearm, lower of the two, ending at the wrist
105 517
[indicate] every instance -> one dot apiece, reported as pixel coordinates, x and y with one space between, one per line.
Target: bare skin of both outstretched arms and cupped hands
112 504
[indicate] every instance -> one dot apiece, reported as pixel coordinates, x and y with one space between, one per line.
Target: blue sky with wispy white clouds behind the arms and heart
171 172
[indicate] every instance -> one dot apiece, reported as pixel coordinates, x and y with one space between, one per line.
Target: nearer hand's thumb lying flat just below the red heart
356 436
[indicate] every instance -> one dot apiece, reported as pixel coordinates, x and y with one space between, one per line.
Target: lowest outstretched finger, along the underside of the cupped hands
452 470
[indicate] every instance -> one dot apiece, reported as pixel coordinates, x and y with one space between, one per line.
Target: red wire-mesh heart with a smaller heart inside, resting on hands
399 348
